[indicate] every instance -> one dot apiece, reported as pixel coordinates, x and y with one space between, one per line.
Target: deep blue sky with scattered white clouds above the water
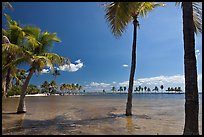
99 60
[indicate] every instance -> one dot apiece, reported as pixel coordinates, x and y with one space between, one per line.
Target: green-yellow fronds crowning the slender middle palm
119 14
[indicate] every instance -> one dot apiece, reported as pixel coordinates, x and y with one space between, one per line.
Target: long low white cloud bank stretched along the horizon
167 81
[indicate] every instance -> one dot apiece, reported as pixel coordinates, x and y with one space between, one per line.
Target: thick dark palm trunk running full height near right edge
191 87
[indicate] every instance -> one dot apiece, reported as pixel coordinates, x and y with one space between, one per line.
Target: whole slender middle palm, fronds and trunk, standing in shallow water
118 15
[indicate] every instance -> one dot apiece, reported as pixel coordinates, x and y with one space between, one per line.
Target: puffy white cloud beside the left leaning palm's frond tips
72 67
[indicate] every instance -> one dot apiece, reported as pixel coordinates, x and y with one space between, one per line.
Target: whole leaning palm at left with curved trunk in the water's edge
37 56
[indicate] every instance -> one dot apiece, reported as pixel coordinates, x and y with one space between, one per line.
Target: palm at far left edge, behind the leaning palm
13 37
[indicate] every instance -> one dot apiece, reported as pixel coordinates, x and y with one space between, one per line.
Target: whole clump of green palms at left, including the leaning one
26 44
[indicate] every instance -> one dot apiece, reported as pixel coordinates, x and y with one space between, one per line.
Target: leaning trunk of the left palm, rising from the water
21 106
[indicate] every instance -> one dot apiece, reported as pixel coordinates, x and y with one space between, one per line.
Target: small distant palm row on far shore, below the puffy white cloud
70 87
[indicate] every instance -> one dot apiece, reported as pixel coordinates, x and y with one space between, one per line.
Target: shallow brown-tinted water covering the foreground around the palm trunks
96 114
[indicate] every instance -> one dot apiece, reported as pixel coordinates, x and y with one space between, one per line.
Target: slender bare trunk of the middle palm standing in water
132 71
